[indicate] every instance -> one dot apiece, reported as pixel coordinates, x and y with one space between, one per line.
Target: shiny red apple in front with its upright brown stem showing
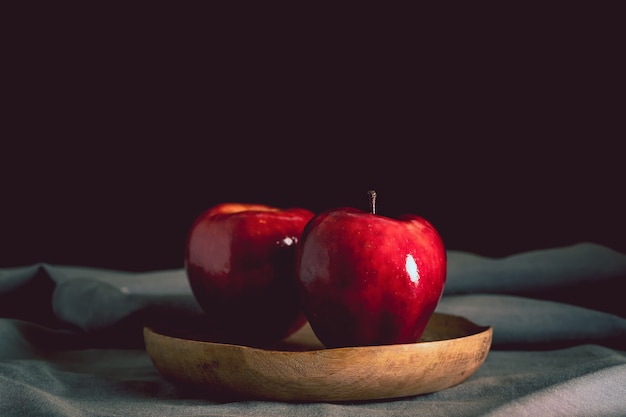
368 279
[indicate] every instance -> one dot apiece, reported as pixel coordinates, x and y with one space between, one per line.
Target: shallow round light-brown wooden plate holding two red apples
301 369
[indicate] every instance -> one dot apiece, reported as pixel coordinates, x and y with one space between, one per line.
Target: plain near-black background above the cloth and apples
504 129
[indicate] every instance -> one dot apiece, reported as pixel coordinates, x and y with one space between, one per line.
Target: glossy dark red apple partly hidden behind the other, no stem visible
240 262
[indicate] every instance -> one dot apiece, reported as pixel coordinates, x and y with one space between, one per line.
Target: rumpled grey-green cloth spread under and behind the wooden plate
71 341
